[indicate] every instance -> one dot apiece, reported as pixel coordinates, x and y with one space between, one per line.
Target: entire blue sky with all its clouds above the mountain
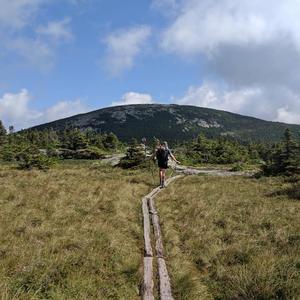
63 57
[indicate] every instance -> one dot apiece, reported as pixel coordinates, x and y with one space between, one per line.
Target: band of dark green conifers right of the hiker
281 158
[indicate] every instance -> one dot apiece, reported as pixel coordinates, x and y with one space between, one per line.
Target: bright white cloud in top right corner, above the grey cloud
203 26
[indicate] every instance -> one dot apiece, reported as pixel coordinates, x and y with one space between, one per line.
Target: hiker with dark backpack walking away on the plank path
162 155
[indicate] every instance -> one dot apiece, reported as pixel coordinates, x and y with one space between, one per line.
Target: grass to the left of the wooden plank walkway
73 232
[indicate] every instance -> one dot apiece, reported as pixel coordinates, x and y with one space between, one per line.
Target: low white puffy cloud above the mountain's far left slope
15 110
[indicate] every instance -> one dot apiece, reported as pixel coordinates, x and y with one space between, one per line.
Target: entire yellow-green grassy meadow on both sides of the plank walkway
75 232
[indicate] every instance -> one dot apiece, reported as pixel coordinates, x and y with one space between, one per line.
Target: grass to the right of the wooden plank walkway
231 238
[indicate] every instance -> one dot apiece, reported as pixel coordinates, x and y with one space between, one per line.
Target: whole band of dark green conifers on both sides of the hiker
39 148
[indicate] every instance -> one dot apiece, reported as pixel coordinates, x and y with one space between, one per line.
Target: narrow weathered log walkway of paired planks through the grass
149 210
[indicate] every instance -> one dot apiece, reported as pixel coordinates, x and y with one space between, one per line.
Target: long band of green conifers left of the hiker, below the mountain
33 148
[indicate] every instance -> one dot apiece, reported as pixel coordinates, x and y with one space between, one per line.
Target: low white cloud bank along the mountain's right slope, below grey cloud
246 101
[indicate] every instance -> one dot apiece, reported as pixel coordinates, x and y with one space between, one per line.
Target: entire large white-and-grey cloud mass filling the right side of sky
252 47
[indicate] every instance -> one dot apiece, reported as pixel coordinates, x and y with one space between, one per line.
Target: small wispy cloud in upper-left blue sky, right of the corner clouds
57 30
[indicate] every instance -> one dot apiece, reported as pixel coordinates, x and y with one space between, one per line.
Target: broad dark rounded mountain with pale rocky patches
173 123
